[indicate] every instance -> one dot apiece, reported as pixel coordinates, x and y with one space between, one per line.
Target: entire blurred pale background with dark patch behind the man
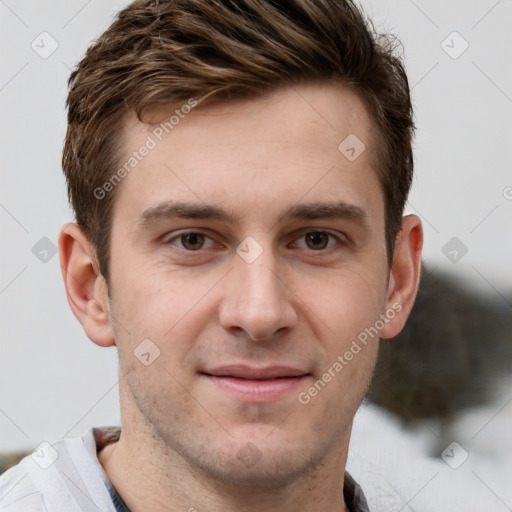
434 433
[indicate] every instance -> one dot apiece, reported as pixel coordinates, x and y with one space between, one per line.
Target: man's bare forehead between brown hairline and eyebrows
253 156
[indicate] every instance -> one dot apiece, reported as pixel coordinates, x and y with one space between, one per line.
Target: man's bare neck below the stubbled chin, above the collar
162 480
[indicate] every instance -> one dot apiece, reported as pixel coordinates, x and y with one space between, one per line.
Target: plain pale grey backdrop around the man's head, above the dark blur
54 382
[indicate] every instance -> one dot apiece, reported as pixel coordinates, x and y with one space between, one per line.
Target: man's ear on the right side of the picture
405 275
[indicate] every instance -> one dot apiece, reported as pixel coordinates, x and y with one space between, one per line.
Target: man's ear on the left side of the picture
86 288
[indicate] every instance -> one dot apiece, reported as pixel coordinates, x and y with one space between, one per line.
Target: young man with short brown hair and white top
238 171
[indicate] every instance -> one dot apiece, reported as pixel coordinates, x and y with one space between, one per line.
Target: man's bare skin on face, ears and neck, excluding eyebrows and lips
182 438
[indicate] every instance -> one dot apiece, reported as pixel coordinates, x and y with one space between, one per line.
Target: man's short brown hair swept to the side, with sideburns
162 53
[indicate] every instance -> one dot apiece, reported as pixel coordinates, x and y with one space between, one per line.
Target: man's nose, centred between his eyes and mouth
257 300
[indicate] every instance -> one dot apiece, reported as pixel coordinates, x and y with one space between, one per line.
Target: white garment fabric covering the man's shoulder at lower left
65 475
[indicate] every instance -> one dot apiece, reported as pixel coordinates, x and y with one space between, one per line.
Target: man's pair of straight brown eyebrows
169 210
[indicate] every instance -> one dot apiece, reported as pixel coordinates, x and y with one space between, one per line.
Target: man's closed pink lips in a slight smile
256 384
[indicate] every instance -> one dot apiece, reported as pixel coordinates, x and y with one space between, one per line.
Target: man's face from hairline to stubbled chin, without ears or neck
250 252
